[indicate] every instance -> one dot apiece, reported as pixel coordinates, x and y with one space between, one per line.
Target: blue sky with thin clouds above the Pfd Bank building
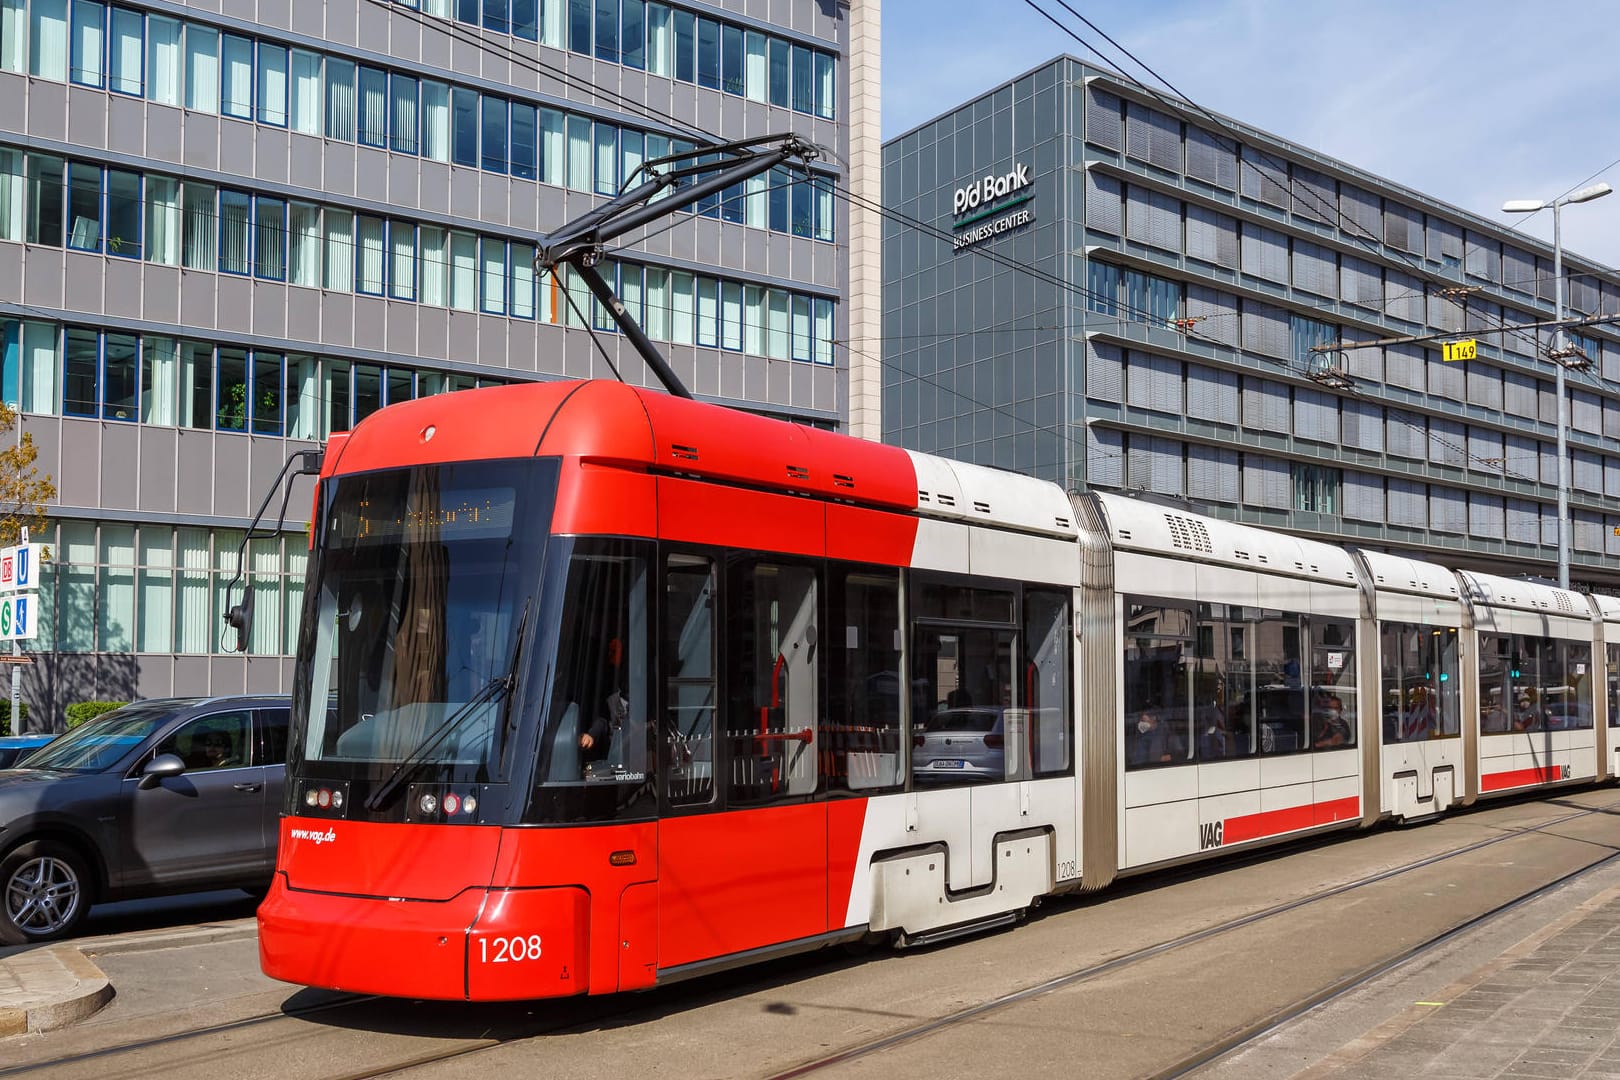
1472 103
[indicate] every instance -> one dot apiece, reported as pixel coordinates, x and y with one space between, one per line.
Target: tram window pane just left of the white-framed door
861 736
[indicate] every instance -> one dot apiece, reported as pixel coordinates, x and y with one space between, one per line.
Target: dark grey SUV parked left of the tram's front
163 796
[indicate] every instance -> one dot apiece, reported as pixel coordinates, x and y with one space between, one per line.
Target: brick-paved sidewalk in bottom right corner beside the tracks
1546 1008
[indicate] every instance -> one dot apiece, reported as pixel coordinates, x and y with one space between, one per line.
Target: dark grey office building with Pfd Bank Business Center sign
1101 287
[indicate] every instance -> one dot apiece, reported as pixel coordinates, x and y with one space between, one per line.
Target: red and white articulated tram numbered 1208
600 689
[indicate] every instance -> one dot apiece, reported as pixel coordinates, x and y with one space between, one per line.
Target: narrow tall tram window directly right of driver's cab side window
689 681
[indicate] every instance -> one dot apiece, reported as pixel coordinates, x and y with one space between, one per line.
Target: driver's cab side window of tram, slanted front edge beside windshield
597 723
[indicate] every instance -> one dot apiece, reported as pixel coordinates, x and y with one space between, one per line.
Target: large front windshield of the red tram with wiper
422 602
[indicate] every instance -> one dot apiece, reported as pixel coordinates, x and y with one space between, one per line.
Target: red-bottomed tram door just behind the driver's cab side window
743 844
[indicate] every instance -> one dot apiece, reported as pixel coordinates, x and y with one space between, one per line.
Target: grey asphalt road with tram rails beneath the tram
205 1011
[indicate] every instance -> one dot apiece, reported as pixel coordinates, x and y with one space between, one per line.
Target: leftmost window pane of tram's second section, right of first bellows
1159 673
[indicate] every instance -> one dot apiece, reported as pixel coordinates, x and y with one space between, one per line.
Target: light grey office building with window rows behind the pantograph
232 229
